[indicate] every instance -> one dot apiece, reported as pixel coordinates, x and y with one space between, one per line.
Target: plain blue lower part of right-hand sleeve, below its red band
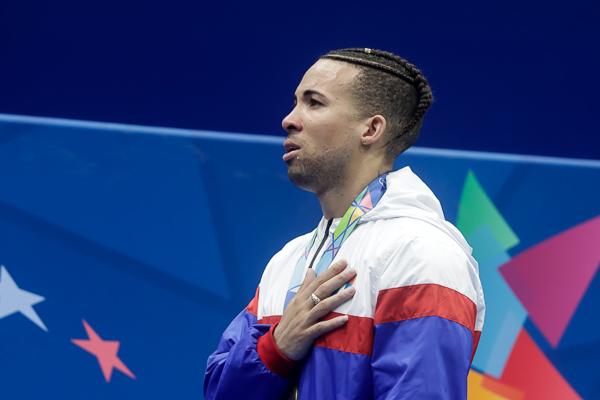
421 358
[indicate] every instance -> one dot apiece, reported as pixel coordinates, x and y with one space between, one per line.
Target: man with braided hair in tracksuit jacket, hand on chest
383 299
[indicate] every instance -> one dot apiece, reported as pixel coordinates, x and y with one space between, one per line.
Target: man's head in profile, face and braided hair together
355 110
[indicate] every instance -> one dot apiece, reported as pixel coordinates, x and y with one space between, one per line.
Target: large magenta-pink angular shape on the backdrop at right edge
551 277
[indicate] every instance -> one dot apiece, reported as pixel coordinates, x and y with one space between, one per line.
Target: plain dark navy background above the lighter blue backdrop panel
508 76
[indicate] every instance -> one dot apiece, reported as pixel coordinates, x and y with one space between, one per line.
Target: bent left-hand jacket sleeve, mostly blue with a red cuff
247 364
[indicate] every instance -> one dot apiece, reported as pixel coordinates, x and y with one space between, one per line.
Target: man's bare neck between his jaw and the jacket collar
336 201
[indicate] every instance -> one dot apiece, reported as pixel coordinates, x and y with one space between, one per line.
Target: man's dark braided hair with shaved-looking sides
391 86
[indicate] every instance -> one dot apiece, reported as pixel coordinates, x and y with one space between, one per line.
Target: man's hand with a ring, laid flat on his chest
300 325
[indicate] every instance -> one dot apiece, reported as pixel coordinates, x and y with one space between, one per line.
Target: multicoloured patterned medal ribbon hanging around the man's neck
364 202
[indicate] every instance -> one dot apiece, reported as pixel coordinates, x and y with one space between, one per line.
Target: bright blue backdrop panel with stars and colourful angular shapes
126 251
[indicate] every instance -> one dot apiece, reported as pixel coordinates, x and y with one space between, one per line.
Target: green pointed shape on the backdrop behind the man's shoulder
476 209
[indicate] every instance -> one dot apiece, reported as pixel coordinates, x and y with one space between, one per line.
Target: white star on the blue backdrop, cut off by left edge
13 299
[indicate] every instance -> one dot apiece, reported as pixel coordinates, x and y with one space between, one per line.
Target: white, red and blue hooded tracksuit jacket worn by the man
414 322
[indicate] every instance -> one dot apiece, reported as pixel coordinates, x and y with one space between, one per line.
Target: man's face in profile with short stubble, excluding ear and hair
323 130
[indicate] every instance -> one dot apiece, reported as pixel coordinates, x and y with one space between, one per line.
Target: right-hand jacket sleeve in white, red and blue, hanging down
423 325
